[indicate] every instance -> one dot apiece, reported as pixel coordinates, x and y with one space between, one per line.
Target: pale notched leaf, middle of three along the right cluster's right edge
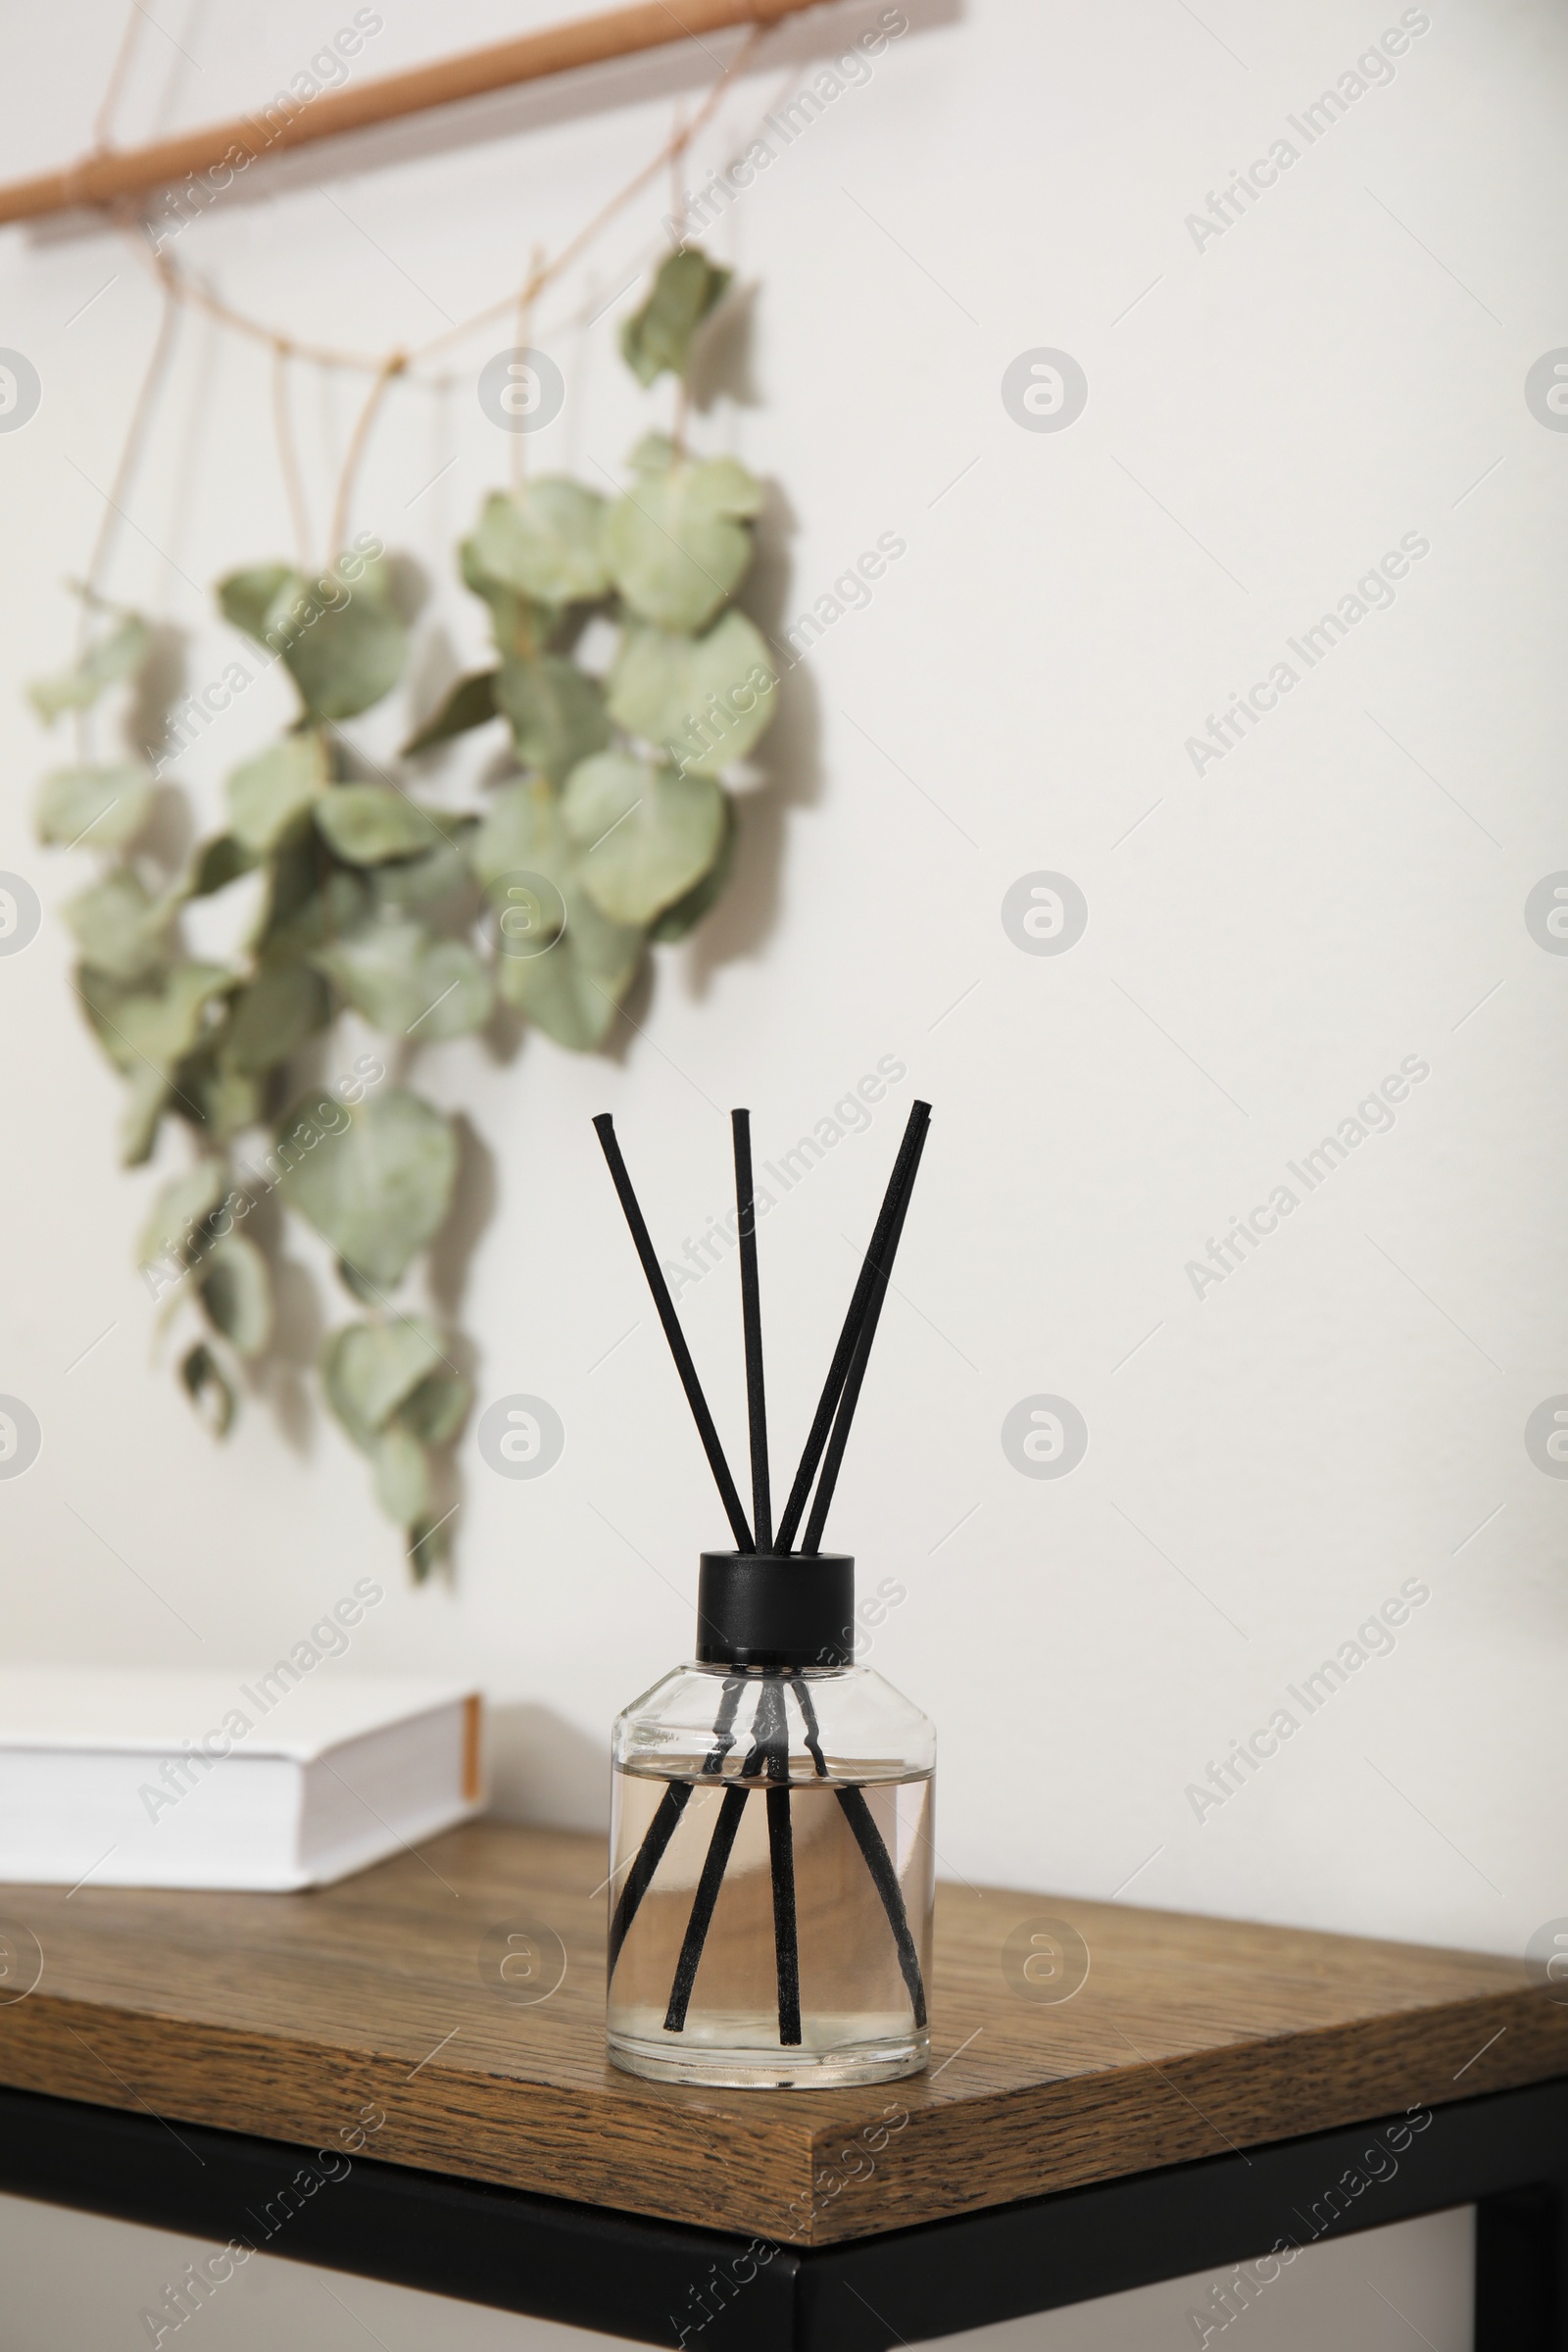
702 700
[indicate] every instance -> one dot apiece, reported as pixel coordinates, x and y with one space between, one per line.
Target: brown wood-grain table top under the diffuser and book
293 2014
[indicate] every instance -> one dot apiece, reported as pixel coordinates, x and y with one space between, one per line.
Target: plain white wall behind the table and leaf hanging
1266 417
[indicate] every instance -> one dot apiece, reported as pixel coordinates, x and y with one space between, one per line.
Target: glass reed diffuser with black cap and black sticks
772 1800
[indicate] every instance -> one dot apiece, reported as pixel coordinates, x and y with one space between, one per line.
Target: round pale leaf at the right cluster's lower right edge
645 834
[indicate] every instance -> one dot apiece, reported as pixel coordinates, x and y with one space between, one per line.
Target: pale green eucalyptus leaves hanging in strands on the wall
610 831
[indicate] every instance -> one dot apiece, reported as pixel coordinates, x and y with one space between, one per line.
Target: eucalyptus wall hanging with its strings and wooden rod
608 834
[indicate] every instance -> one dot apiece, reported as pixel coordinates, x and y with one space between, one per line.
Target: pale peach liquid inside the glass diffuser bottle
859 1986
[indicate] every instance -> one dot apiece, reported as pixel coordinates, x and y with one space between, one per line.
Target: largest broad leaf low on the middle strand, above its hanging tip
375 1182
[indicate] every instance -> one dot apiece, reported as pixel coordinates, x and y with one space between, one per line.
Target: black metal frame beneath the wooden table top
655 2280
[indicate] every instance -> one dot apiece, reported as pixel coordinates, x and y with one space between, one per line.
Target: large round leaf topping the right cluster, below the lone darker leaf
676 544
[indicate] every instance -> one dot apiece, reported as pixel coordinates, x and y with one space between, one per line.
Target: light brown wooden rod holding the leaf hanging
587 41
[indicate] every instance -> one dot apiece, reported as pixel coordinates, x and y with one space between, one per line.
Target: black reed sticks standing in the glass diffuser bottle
765 1765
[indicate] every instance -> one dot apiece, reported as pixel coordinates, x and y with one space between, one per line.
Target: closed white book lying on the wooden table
227 1779
